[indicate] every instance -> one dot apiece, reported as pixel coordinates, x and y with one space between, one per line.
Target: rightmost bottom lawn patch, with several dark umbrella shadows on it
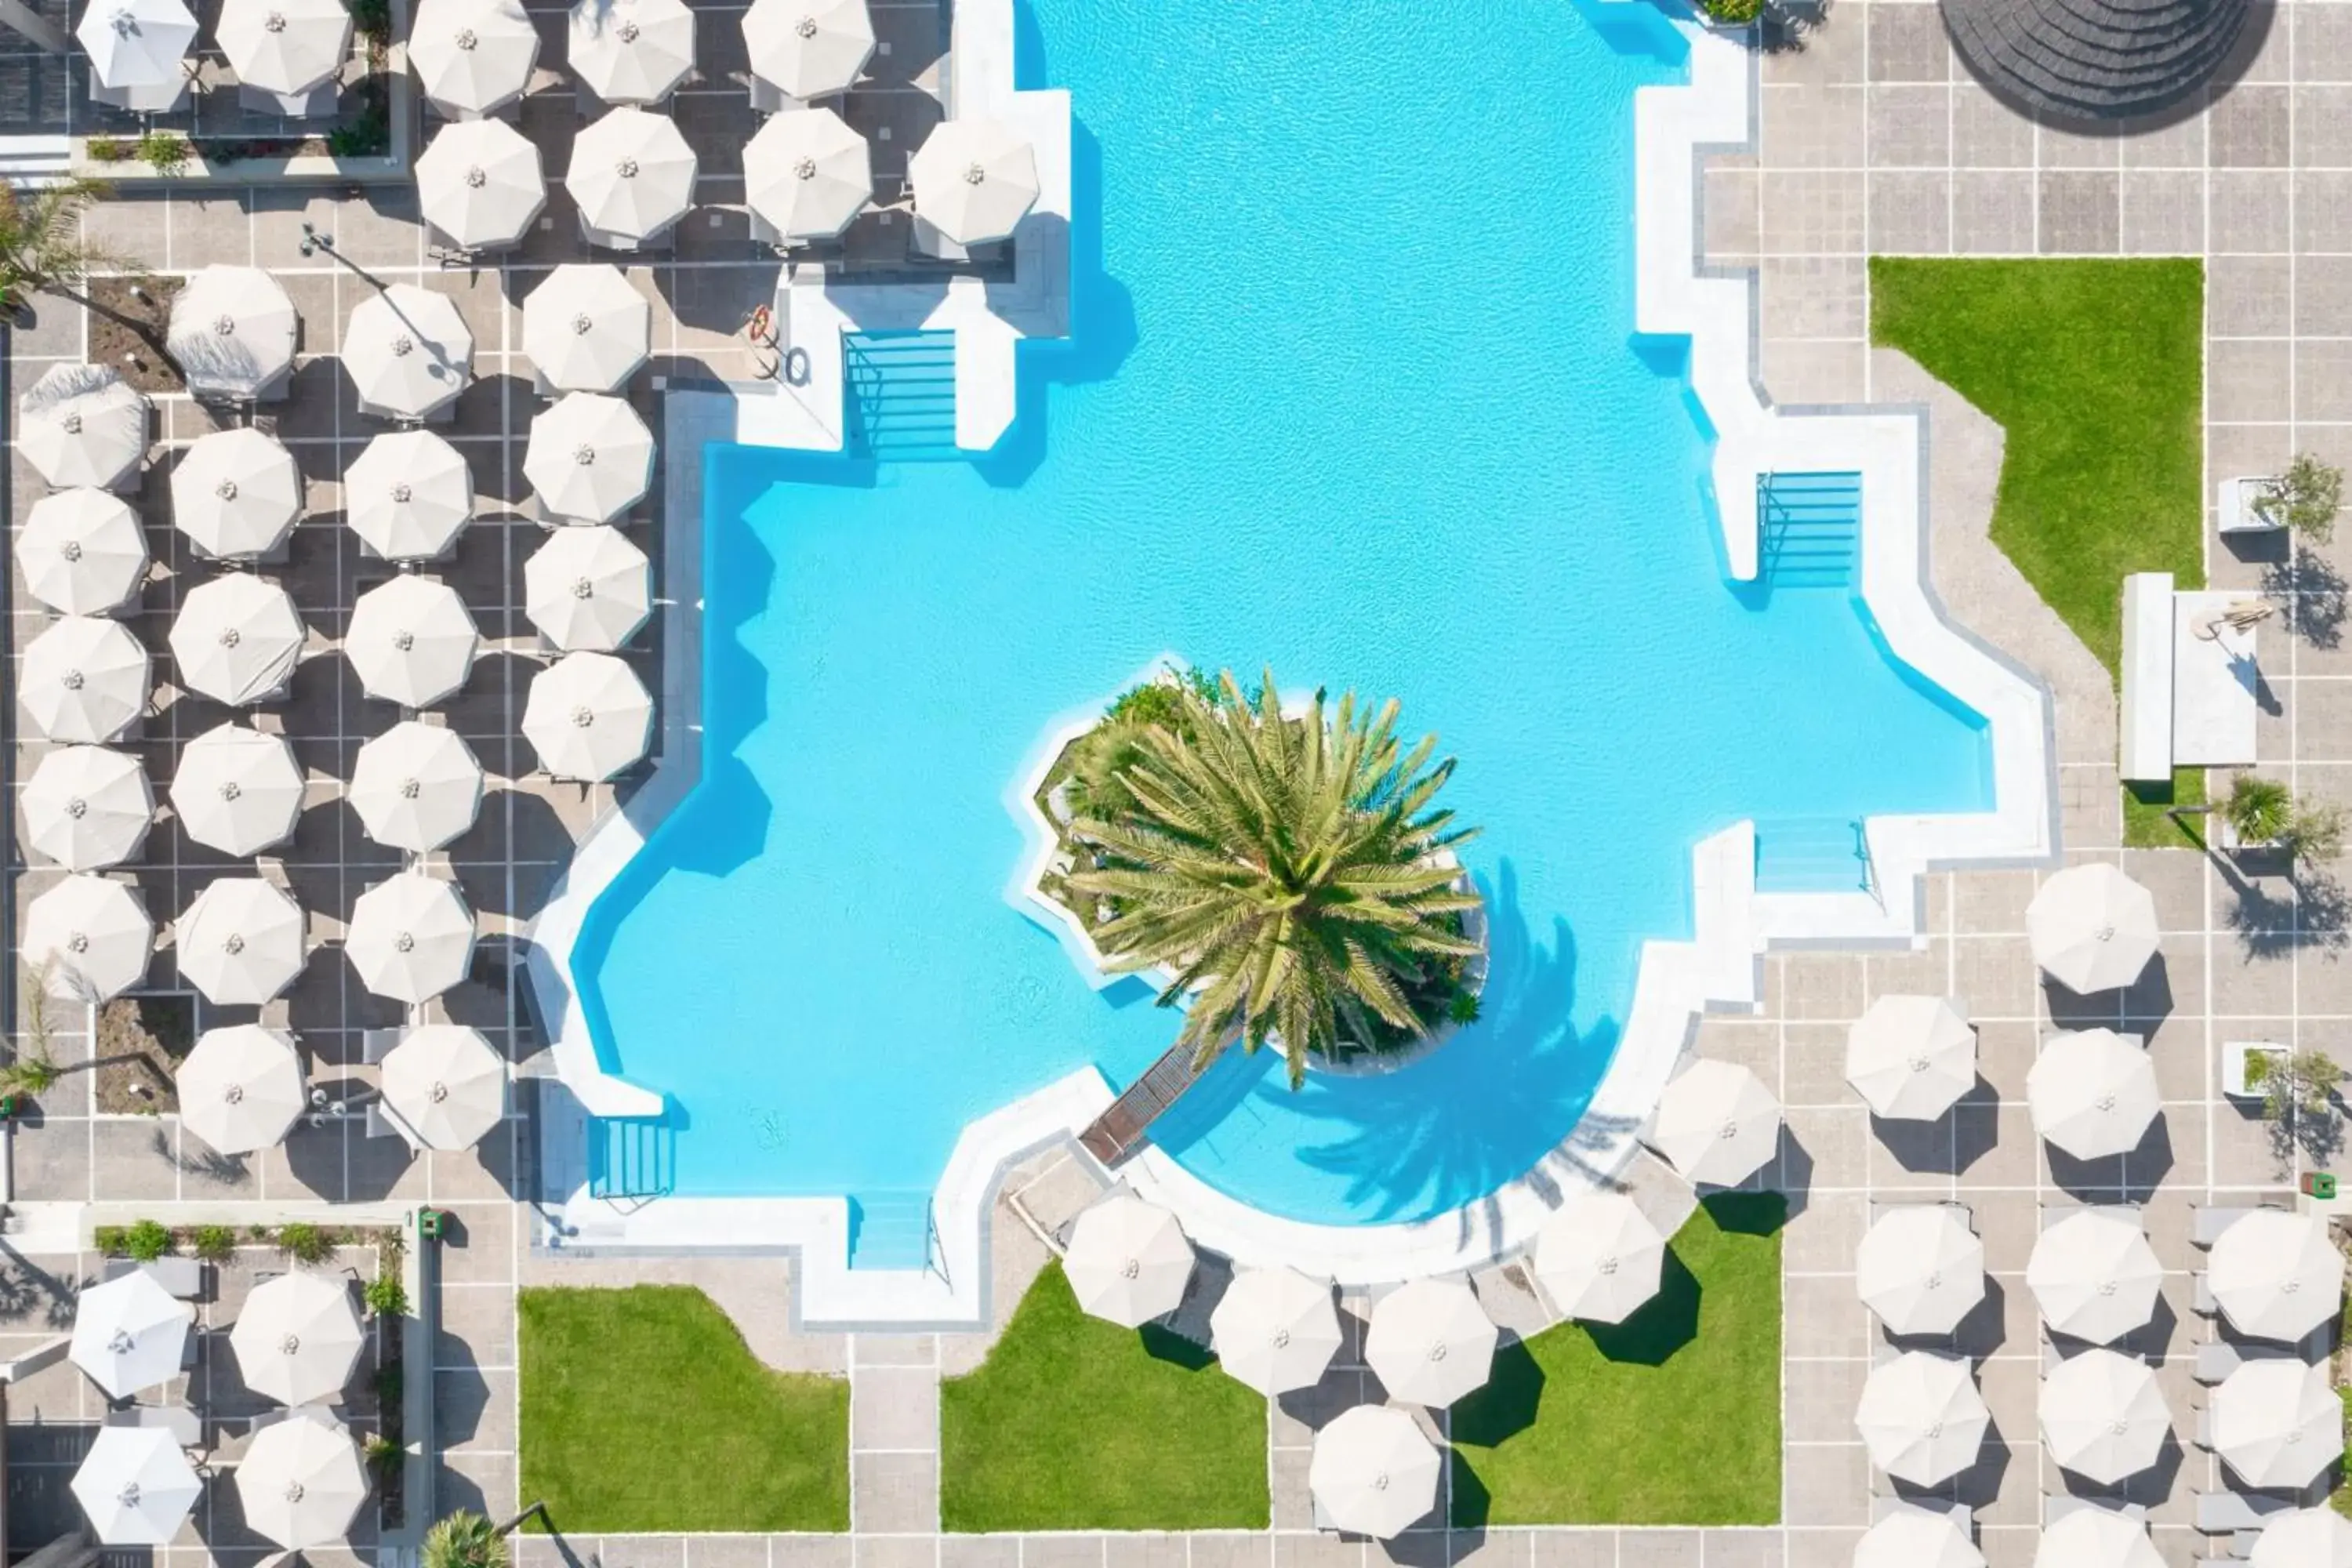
1666 1419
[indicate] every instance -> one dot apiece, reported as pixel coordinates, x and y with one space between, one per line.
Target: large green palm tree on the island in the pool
1290 871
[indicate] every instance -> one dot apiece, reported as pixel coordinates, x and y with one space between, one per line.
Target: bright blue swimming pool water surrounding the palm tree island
1354 394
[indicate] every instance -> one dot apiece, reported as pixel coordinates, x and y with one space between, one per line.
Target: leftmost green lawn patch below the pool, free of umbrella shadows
643 1412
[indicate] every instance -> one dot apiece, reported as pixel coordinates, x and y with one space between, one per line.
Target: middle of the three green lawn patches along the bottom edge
1085 1426
